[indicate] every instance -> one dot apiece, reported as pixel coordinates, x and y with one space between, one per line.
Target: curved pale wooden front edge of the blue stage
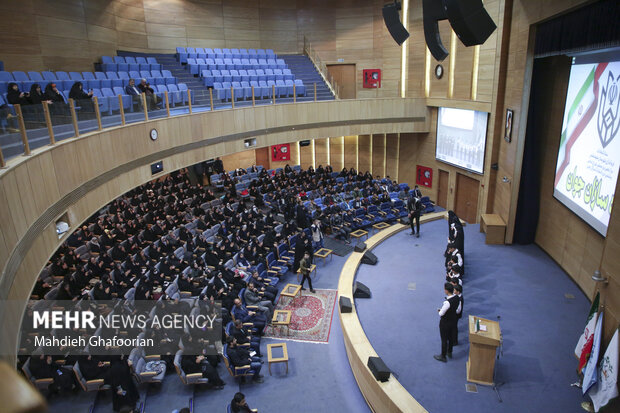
389 396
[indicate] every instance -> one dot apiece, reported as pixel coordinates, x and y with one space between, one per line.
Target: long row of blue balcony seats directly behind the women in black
90 80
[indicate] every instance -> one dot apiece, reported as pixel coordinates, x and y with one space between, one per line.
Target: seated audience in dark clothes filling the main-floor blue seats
178 250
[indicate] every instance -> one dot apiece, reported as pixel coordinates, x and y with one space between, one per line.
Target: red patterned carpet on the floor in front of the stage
311 317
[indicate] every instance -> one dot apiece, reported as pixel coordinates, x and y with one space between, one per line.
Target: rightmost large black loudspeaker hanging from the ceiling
470 21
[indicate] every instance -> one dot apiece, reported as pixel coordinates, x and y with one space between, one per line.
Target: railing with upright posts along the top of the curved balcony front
27 127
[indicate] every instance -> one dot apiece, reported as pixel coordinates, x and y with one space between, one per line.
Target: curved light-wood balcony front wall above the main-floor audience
78 176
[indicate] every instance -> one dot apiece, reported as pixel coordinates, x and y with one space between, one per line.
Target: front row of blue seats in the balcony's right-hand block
262 89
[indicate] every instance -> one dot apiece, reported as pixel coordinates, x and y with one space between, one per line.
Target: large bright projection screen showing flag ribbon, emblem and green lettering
589 153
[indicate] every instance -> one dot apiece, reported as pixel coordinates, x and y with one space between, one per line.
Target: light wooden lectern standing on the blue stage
482 350
